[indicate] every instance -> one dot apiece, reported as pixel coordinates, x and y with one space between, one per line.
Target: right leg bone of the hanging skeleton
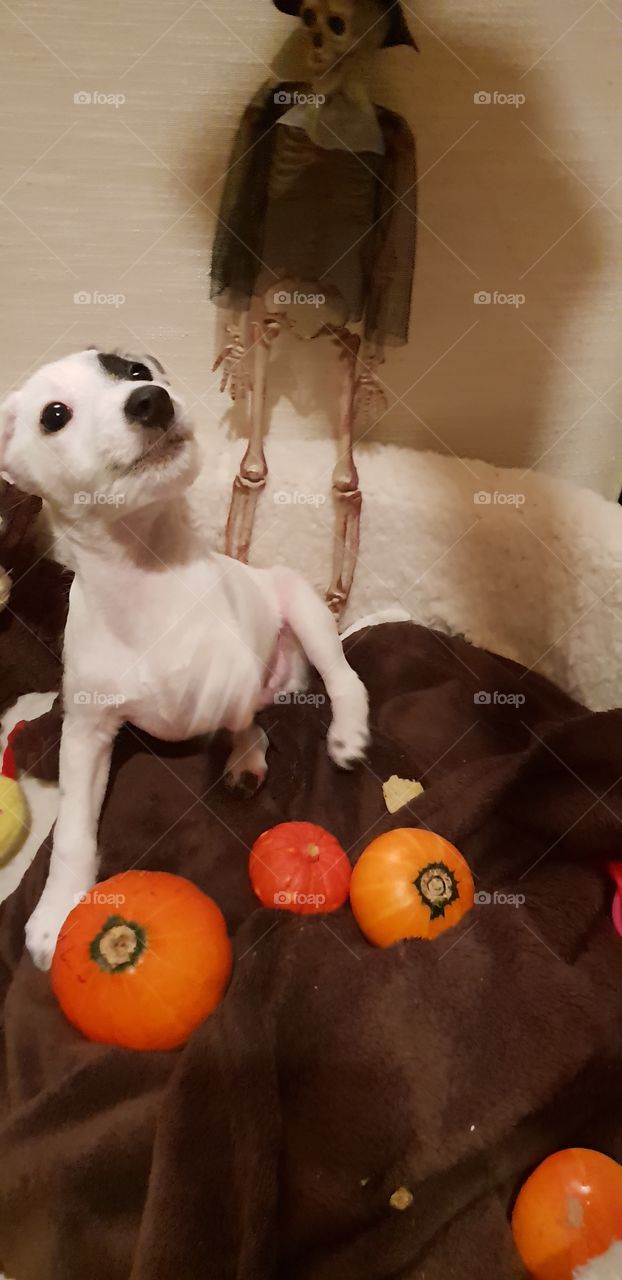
346 491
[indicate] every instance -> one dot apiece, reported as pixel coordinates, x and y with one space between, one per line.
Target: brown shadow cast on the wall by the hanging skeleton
496 208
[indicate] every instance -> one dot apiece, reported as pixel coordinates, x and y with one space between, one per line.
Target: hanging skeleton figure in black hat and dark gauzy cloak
318 222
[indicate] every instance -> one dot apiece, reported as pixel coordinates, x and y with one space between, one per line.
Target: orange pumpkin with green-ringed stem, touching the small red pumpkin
410 884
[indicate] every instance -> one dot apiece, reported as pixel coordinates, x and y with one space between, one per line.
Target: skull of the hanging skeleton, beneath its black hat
337 29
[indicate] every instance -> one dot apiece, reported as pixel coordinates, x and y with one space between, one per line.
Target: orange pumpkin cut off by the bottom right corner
569 1213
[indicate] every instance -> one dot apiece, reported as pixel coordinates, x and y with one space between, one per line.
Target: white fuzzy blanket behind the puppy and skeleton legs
518 563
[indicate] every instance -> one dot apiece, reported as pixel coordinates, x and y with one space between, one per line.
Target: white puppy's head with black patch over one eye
98 431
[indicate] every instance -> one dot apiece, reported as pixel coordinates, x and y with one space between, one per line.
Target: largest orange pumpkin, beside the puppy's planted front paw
143 961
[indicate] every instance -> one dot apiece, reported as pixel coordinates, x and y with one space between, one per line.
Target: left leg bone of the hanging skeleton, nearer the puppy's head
253 474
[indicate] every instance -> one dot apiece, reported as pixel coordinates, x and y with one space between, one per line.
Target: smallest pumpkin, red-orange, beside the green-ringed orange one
300 867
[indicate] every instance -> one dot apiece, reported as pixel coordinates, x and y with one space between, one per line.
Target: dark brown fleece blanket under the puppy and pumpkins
333 1073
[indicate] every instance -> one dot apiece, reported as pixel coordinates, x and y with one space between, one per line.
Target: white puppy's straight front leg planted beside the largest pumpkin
86 748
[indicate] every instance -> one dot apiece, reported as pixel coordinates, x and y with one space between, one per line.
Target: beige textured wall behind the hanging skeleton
120 200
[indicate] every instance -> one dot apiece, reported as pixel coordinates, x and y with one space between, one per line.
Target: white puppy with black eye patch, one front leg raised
161 633
